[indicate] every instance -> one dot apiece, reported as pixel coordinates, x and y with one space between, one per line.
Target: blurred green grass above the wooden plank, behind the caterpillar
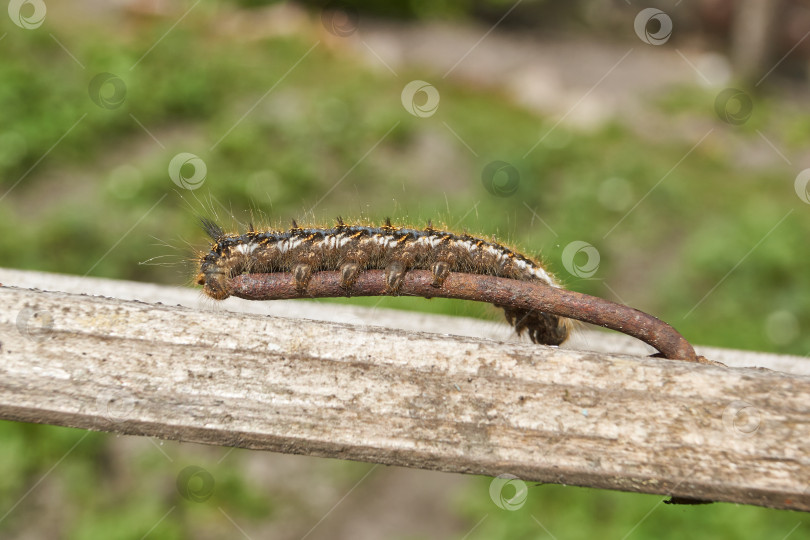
106 174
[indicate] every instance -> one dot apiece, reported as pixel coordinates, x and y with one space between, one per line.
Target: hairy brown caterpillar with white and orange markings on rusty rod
352 249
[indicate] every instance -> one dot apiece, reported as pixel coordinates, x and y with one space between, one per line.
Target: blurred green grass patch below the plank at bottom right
582 514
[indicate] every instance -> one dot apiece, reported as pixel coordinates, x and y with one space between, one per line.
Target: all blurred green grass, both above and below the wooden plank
703 237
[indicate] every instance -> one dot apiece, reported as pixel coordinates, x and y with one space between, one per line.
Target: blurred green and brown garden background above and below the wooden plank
687 193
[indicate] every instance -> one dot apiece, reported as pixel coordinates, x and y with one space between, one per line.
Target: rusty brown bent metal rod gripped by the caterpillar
519 294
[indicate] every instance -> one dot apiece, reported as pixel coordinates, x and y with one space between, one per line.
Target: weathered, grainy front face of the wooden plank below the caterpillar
420 400
